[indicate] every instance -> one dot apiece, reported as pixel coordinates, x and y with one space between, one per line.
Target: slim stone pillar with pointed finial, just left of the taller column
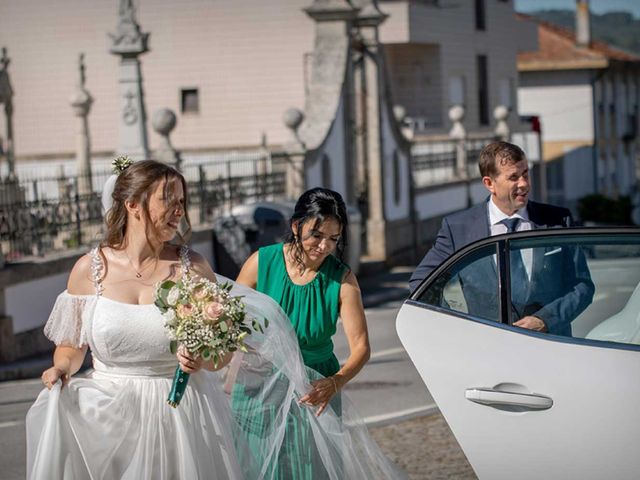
81 102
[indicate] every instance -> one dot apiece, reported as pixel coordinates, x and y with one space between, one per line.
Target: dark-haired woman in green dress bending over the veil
307 278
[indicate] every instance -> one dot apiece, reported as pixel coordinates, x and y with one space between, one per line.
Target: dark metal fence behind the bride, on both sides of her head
47 214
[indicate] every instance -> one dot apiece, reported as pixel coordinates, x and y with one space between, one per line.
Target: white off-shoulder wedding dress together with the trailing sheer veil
114 422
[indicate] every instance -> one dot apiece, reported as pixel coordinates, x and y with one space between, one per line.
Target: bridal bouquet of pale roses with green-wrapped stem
206 319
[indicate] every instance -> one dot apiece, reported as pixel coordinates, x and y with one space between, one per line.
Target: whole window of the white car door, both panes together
579 285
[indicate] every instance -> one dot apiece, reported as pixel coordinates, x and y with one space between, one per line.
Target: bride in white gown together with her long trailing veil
114 422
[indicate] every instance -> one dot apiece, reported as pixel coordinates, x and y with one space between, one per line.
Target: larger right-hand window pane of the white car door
585 286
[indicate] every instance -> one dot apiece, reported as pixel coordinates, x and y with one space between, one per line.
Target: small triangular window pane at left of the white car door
469 286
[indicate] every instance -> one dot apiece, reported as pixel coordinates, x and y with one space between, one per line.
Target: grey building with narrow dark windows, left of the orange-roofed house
447 52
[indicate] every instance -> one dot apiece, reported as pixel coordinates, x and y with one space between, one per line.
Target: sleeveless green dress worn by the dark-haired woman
313 309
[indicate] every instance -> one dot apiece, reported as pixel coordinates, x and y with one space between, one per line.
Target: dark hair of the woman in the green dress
317 205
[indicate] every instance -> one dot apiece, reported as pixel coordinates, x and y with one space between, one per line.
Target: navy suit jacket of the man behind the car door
560 287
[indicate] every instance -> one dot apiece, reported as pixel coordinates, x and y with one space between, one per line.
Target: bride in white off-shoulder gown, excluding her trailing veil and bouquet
115 422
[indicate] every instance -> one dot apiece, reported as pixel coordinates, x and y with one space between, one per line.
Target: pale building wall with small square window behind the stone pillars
246 57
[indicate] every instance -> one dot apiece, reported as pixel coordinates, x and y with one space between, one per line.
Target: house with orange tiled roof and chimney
587 95
